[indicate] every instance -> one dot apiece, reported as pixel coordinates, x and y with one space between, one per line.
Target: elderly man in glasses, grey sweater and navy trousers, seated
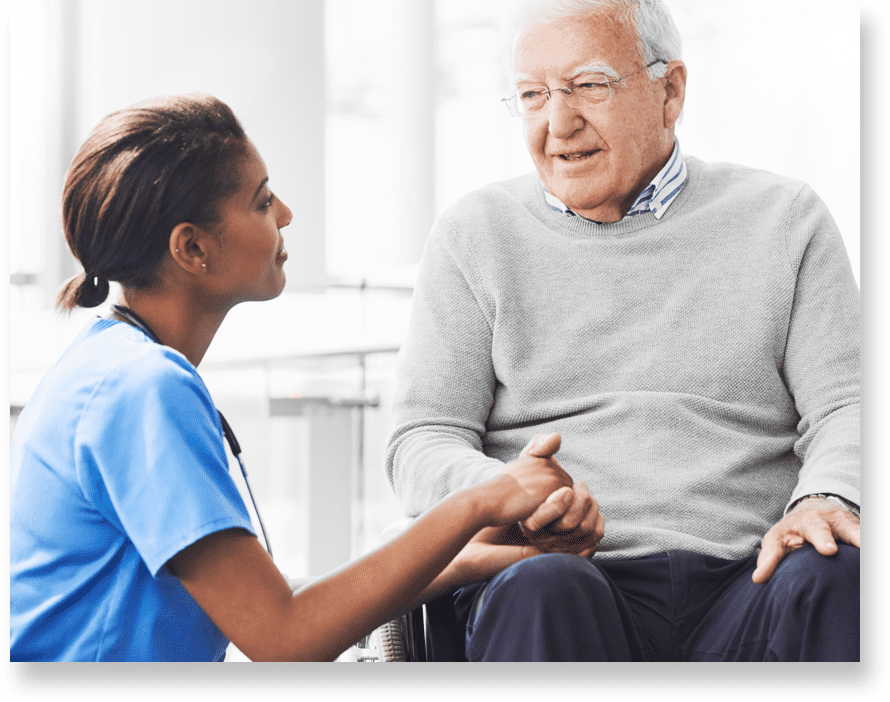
689 330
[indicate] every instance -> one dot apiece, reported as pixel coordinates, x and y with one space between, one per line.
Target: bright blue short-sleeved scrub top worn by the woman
121 465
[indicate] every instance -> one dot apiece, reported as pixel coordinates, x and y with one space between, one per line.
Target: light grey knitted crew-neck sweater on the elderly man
703 369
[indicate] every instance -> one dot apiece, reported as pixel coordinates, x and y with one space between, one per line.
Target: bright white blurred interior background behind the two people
373 116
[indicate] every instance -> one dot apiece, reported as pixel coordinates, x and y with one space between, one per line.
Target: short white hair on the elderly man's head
657 35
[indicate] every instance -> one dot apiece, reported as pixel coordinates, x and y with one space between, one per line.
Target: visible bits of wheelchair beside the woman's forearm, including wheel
429 633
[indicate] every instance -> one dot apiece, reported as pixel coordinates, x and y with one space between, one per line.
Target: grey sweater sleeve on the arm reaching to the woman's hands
445 381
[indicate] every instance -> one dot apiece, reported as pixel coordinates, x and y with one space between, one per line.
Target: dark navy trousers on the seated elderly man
672 606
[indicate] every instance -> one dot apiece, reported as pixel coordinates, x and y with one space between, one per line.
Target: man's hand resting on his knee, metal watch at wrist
816 520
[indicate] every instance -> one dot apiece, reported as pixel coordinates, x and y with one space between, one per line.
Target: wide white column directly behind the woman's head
265 59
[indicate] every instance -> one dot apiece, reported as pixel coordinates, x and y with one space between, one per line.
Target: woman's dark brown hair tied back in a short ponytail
140 172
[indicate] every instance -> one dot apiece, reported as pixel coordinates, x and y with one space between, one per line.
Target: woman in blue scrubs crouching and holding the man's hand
128 538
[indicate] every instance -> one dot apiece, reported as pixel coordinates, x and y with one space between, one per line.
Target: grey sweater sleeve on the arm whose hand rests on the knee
821 365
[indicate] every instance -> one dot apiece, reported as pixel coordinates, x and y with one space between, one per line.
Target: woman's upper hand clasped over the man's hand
533 482
